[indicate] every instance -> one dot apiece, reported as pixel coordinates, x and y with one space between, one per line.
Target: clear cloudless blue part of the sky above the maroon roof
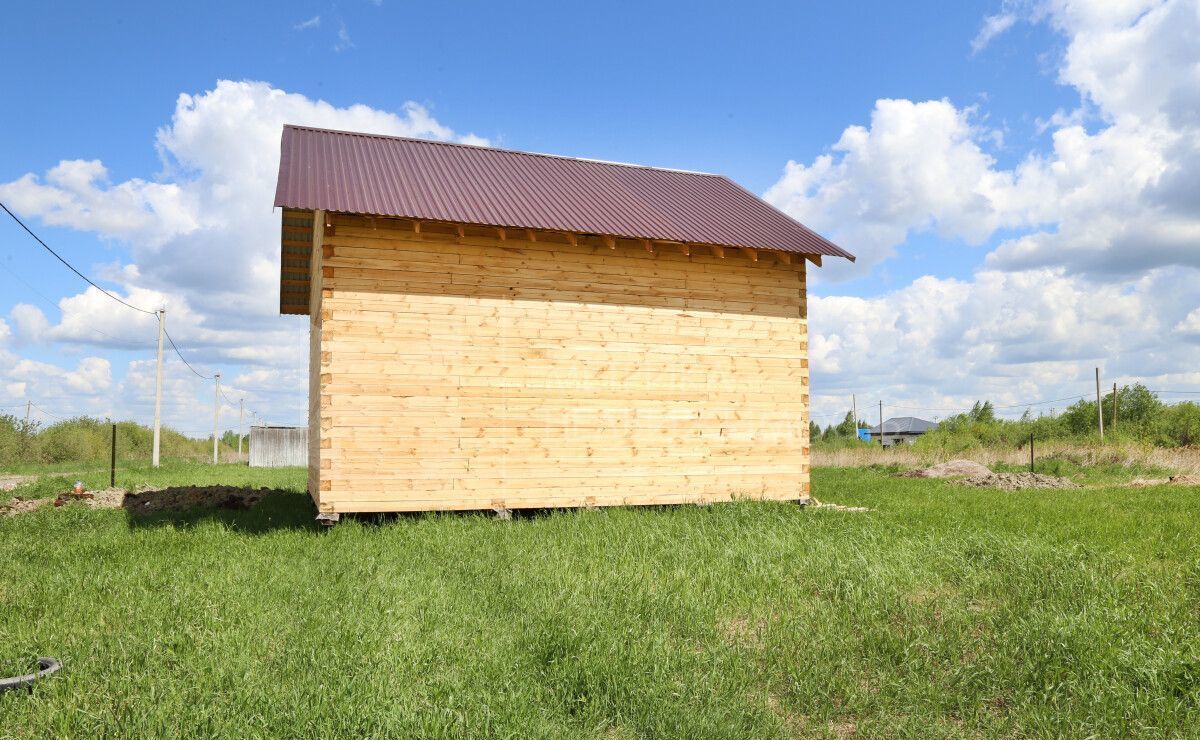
695 86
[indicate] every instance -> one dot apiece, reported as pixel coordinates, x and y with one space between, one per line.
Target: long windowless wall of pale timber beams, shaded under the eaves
473 372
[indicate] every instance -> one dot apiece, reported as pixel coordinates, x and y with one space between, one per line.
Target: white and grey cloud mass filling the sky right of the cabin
1103 263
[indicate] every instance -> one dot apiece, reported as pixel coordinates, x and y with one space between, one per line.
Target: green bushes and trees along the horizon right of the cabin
1142 417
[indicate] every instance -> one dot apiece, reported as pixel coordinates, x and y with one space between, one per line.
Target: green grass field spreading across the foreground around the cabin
945 612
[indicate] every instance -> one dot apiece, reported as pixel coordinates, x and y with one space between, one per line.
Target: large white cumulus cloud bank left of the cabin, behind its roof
202 236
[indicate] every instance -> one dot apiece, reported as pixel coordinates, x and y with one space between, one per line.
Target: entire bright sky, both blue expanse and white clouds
991 185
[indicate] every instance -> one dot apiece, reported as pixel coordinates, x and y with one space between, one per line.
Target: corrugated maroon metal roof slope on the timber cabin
377 176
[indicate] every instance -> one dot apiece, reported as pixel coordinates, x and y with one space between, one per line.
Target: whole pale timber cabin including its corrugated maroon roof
495 329
